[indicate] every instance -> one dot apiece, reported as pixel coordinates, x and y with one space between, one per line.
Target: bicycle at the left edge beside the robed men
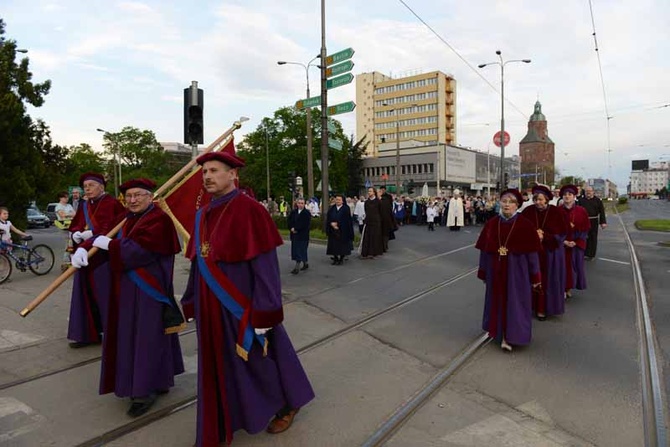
38 259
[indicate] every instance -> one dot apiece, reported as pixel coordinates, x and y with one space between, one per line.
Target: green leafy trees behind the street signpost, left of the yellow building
283 138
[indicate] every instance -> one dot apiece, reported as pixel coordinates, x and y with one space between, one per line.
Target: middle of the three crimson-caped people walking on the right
551 228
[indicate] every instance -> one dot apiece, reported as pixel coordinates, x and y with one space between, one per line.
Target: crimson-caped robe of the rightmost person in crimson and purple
578 226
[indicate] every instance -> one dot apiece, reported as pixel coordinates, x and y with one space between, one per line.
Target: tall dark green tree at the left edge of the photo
20 157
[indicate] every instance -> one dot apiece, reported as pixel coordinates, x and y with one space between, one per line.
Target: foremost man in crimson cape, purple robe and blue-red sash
248 370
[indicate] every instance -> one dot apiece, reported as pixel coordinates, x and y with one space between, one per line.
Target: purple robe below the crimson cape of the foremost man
256 389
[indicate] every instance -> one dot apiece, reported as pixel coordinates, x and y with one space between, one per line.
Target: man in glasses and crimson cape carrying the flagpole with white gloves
141 352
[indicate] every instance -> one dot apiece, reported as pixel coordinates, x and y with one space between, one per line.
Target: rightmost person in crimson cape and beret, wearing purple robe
578 226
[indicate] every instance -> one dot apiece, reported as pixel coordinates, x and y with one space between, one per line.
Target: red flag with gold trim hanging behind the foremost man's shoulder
187 197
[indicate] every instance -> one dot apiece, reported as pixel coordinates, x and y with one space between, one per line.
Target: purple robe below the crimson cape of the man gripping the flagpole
138 358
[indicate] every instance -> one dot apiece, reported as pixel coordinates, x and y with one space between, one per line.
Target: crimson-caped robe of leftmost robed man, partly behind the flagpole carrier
91 285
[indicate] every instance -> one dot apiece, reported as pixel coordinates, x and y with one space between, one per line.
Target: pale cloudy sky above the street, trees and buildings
126 63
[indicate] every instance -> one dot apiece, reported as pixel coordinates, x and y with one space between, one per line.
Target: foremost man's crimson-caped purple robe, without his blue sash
233 393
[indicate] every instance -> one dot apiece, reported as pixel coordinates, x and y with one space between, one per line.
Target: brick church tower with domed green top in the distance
536 151
